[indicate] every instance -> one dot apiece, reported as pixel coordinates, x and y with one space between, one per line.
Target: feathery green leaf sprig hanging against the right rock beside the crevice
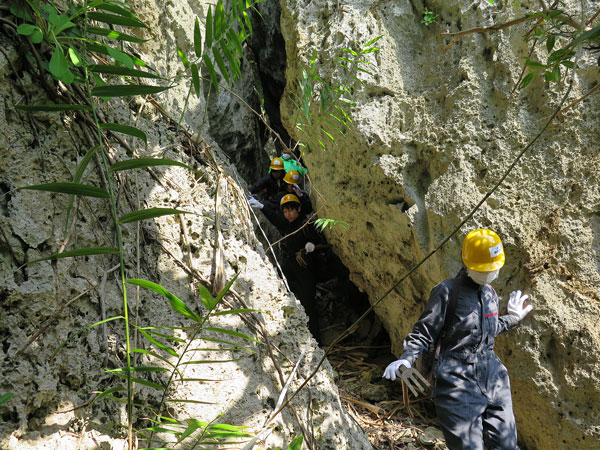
322 106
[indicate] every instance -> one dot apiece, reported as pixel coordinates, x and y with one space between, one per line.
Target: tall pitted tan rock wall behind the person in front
434 130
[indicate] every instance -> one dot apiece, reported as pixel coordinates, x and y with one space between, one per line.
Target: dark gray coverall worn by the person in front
472 390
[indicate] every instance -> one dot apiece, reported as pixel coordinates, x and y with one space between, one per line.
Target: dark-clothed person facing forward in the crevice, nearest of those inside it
301 265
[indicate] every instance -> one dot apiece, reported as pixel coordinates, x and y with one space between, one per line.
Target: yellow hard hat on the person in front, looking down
483 251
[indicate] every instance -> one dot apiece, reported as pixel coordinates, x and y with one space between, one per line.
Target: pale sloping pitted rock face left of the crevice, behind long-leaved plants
45 303
